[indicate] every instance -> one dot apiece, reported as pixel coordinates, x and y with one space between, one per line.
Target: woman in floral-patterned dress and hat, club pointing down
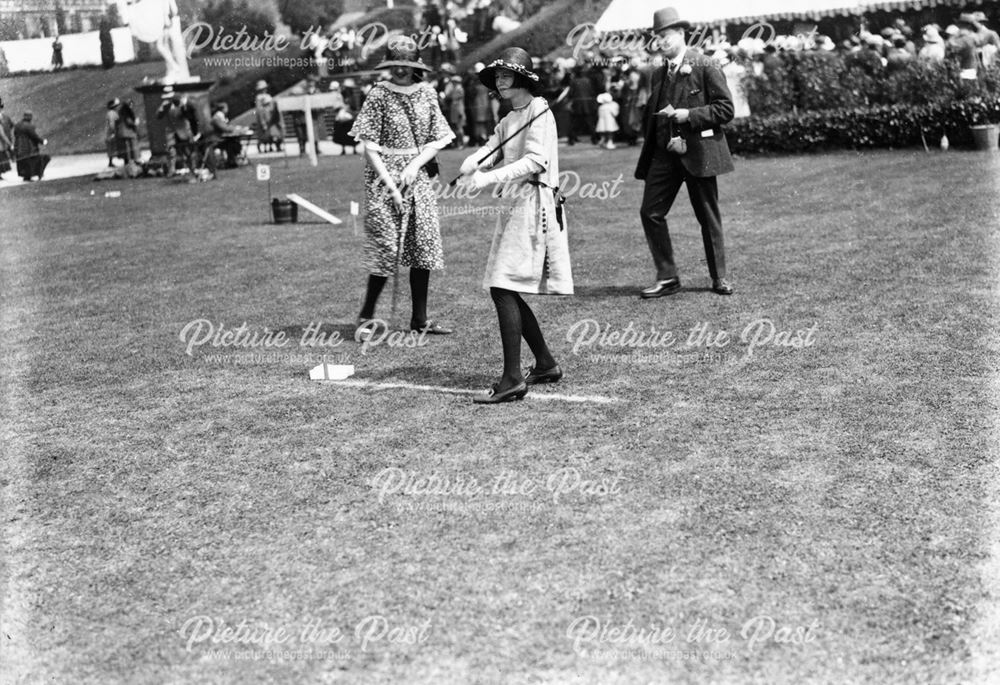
402 128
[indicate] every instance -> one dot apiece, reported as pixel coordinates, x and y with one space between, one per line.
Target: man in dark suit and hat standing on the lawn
689 102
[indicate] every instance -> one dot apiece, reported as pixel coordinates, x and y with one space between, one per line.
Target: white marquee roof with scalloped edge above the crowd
625 15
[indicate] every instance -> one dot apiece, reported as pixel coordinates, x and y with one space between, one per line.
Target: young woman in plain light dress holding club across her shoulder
530 252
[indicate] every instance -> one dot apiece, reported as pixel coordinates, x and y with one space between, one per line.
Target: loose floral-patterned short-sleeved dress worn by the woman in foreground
399 121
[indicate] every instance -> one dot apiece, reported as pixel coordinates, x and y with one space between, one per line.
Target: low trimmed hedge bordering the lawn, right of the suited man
892 126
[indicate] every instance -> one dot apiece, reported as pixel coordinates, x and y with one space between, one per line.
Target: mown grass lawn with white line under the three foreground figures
834 496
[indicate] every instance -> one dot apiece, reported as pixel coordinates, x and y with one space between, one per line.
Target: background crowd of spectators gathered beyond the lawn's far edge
600 98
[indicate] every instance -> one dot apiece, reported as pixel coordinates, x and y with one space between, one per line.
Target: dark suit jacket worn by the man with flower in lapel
704 93
